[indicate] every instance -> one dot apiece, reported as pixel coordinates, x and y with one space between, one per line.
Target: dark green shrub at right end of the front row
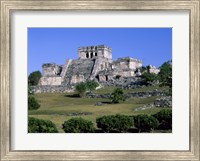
165 119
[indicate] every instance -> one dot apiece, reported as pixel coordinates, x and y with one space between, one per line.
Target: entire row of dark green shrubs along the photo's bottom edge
110 123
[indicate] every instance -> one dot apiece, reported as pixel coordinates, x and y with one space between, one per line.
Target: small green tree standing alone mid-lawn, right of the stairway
117 95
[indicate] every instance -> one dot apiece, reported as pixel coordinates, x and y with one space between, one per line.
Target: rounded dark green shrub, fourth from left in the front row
145 123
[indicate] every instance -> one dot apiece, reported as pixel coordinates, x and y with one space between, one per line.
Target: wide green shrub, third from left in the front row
121 123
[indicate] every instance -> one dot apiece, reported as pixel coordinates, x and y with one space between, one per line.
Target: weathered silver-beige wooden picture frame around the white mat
8 6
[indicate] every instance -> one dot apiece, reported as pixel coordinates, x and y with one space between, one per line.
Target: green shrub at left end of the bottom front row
41 126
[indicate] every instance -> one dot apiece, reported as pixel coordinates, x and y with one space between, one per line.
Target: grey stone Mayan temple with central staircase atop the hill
93 63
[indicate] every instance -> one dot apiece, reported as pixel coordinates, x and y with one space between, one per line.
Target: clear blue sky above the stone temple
45 45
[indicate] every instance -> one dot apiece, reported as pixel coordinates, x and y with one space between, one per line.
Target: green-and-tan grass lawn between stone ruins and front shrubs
61 107
